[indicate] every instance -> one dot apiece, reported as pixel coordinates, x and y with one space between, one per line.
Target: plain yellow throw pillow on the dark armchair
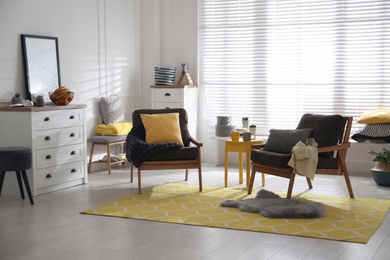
162 128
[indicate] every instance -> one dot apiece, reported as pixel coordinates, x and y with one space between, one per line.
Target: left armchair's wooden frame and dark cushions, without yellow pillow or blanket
187 157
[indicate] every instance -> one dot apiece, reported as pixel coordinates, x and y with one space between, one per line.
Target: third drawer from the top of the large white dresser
58 156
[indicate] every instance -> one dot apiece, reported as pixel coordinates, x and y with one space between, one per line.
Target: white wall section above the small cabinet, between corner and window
169 35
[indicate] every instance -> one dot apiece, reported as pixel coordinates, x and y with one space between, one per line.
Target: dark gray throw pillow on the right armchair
283 140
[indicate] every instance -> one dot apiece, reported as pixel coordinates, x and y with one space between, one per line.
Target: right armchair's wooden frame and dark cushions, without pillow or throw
331 157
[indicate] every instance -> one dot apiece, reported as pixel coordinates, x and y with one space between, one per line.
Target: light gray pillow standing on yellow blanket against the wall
111 109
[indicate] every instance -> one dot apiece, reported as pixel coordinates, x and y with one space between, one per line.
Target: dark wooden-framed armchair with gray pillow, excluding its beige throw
331 132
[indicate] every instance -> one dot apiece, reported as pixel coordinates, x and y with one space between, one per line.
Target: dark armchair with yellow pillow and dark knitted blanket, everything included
149 148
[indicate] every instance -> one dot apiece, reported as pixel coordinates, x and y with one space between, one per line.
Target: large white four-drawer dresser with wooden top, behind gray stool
57 137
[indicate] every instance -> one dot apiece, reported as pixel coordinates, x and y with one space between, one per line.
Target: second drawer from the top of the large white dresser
59 137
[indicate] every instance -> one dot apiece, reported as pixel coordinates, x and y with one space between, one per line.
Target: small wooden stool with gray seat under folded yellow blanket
107 141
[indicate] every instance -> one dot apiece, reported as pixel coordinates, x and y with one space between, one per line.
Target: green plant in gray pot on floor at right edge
381 170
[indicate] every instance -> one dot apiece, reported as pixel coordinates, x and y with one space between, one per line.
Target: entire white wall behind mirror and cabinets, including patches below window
111 47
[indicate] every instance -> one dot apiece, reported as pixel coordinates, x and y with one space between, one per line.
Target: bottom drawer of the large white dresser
59 174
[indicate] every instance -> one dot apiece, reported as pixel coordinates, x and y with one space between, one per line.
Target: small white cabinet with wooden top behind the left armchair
178 96
